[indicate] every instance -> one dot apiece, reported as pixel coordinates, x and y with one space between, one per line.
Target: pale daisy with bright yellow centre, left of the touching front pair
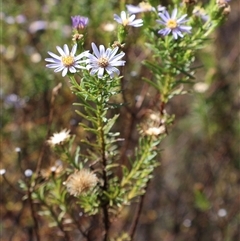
67 61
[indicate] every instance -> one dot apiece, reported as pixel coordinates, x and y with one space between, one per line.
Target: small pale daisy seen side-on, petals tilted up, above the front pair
127 20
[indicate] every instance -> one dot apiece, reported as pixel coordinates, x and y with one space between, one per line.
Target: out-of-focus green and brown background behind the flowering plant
194 194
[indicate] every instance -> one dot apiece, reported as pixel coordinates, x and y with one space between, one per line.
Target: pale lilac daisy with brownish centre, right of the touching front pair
104 60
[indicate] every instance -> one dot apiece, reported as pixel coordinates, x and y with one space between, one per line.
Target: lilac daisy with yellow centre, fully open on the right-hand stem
172 24
